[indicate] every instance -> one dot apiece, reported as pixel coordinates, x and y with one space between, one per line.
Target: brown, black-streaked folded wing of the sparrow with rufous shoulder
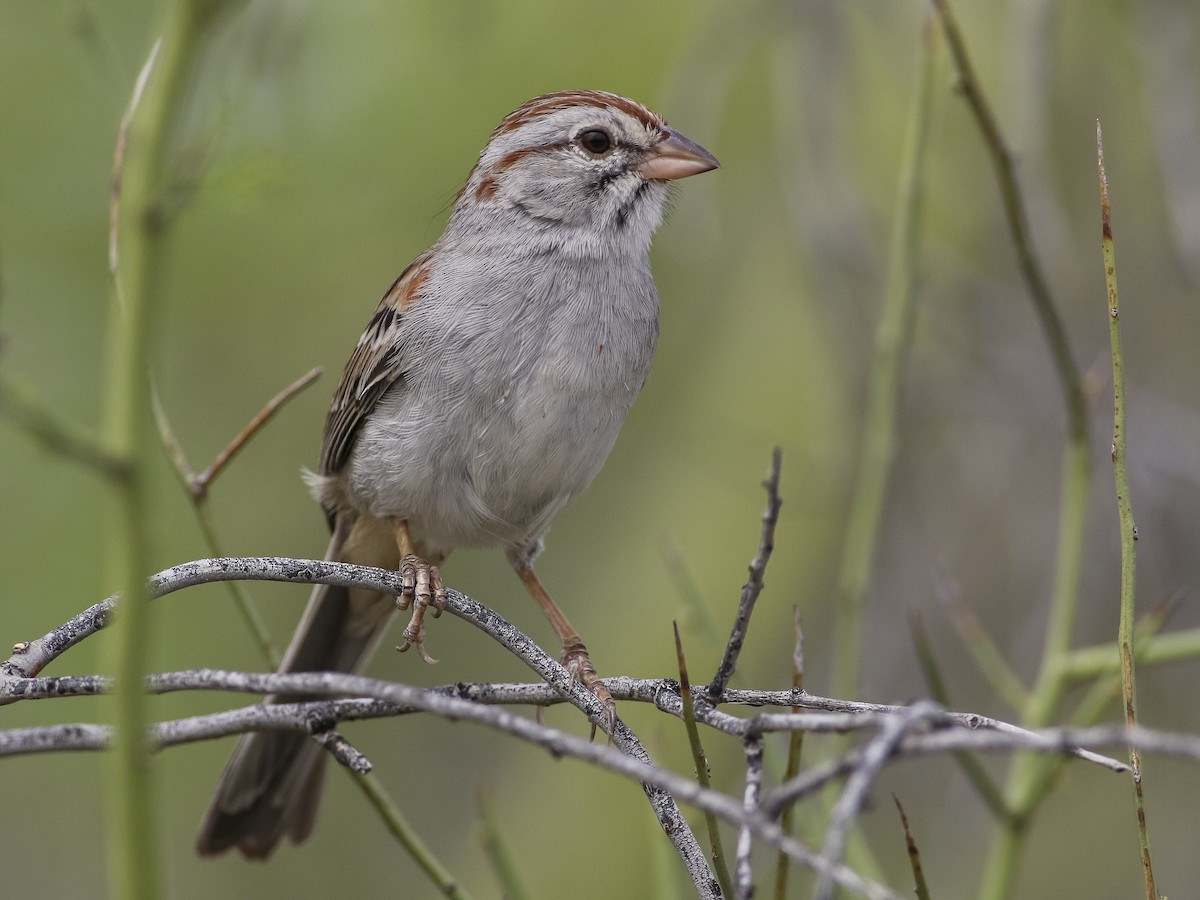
373 368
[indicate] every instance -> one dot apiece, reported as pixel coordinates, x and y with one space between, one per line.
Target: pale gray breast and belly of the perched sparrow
515 394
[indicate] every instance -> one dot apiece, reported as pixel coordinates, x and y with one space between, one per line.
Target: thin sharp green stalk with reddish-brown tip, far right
1126 631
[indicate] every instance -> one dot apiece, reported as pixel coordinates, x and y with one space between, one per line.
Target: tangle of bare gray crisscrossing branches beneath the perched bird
901 731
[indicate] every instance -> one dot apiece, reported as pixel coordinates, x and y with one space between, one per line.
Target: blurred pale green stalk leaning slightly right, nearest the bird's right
892 339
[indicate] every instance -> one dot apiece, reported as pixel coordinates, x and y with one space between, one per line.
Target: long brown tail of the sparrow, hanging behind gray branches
272 785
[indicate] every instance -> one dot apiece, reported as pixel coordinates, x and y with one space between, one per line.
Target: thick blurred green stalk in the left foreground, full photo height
141 184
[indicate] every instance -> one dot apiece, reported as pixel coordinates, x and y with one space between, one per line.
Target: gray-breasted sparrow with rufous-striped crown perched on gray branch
484 395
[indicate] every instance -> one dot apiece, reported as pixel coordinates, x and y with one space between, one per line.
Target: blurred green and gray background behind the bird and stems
327 142
